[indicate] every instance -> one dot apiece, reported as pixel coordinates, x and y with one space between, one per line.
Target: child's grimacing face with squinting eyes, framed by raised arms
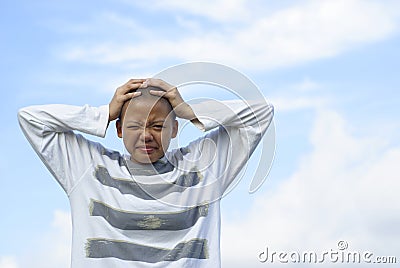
147 129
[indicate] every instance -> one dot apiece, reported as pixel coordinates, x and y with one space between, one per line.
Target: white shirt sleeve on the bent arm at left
50 131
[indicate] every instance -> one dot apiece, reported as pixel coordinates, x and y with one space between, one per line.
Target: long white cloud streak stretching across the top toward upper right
308 30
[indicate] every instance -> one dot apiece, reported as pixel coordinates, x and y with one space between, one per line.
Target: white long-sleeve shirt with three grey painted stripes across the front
170 219
